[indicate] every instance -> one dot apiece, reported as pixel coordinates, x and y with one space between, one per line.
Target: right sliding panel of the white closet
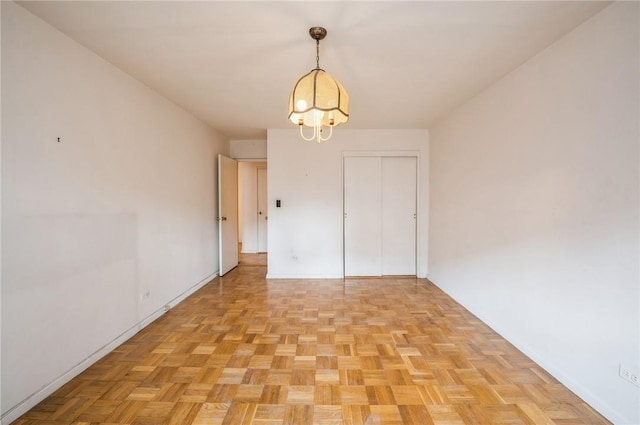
399 215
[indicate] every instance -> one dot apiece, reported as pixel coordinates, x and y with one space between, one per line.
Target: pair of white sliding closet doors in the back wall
380 215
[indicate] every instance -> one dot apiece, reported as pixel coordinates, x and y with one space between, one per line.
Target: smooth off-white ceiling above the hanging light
233 63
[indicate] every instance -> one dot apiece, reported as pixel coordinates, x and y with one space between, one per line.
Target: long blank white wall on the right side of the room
534 209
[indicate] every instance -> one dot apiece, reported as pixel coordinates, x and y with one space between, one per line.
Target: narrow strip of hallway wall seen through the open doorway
248 196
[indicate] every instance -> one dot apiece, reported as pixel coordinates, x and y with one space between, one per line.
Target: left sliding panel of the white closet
362 216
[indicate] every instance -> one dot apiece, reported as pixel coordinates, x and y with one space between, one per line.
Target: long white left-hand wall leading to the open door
121 206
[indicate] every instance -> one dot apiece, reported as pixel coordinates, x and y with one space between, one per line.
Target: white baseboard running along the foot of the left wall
30 402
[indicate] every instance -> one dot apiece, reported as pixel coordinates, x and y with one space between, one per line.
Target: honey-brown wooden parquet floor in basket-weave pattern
244 350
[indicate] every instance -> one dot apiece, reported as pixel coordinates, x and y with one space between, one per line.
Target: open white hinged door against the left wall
227 213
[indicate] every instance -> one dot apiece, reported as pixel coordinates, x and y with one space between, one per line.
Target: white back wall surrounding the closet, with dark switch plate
305 234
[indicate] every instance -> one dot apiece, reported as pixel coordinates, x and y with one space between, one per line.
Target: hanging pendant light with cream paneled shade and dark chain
318 100
